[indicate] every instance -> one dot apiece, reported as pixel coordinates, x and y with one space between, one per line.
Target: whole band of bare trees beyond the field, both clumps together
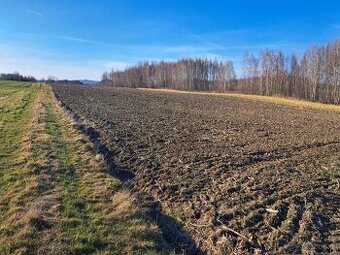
314 76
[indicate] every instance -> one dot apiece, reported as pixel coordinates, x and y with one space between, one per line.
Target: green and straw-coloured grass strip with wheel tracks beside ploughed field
55 195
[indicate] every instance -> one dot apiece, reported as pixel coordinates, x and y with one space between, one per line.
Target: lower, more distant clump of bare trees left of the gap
185 74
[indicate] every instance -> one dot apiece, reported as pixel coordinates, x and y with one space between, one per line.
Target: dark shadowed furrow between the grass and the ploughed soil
173 233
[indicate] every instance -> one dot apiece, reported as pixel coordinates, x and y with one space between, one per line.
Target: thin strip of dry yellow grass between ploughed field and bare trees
267 99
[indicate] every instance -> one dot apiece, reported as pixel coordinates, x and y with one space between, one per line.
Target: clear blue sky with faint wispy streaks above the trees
81 39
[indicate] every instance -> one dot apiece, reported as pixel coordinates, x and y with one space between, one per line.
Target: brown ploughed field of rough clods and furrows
240 176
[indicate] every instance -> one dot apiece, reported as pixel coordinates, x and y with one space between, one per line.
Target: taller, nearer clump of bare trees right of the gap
314 76
